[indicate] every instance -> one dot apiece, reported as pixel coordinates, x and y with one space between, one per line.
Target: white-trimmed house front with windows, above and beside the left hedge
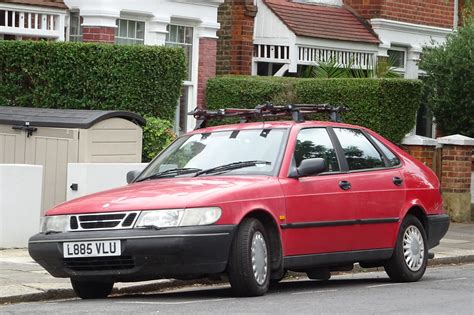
180 23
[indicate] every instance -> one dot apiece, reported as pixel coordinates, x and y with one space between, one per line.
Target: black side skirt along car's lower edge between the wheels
302 262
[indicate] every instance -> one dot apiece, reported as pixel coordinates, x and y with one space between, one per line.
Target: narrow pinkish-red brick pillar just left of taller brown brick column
206 67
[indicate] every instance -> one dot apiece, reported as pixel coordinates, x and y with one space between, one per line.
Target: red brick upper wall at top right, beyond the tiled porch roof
427 12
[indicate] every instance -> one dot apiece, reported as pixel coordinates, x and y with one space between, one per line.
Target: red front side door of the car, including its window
319 214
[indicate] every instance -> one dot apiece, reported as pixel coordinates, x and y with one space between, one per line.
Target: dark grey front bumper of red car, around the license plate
146 254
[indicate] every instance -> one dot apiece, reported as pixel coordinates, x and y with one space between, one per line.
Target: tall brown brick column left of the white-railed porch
235 44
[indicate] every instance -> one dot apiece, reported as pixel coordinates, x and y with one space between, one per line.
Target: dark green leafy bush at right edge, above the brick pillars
450 81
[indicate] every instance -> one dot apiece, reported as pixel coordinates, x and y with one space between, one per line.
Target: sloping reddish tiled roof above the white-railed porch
322 21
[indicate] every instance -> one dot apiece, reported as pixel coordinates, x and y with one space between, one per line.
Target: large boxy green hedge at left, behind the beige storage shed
141 79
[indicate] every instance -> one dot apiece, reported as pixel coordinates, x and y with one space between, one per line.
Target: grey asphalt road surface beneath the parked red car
443 290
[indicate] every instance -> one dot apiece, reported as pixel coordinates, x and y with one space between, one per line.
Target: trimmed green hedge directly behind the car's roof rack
387 106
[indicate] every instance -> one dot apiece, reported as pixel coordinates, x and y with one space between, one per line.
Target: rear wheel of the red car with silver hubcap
410 257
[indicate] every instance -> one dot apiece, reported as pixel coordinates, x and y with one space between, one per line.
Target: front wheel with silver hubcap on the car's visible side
248 267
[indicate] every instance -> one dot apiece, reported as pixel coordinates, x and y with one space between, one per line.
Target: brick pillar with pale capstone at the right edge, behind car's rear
456 176
